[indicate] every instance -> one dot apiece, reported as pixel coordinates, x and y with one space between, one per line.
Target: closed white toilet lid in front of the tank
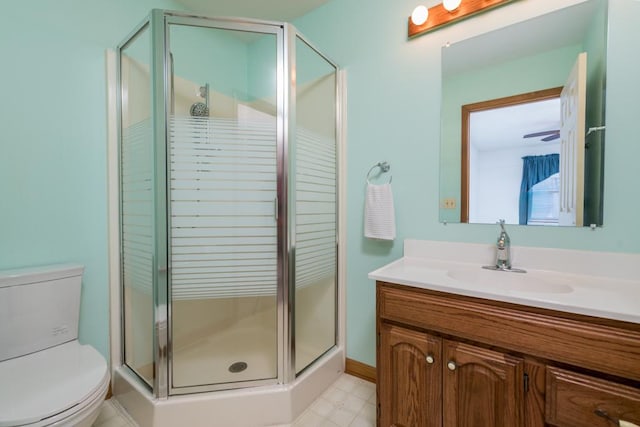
48 382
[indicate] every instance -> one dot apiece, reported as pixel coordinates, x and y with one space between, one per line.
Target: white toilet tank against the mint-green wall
39 308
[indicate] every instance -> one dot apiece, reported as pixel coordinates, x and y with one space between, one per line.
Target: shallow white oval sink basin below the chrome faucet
531 282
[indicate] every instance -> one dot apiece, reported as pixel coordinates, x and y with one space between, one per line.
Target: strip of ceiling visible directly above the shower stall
272 10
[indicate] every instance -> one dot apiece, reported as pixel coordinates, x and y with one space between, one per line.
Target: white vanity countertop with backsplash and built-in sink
457 268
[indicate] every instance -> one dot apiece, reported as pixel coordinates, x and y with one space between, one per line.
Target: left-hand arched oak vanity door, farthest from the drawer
409 378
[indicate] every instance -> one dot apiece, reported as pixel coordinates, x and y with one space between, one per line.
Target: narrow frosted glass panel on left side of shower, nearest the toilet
137 205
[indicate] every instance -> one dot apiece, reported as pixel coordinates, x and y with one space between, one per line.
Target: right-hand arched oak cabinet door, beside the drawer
481 388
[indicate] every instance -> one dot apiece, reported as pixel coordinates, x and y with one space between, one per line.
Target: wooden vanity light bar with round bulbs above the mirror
448 12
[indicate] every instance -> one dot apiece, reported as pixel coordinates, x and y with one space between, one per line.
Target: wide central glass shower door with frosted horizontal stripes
223 231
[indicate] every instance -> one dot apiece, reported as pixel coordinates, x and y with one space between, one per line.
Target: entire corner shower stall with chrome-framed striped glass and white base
228 188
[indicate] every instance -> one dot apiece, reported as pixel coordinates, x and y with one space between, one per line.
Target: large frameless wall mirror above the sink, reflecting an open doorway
487 68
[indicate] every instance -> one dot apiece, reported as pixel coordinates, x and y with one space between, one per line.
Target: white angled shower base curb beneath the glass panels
270 405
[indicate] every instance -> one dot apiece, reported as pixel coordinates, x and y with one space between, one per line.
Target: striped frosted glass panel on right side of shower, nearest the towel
315 193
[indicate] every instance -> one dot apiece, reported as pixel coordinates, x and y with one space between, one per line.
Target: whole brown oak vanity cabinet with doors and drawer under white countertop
451 361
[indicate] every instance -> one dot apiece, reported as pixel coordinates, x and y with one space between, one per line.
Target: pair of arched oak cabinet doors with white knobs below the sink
429 381
